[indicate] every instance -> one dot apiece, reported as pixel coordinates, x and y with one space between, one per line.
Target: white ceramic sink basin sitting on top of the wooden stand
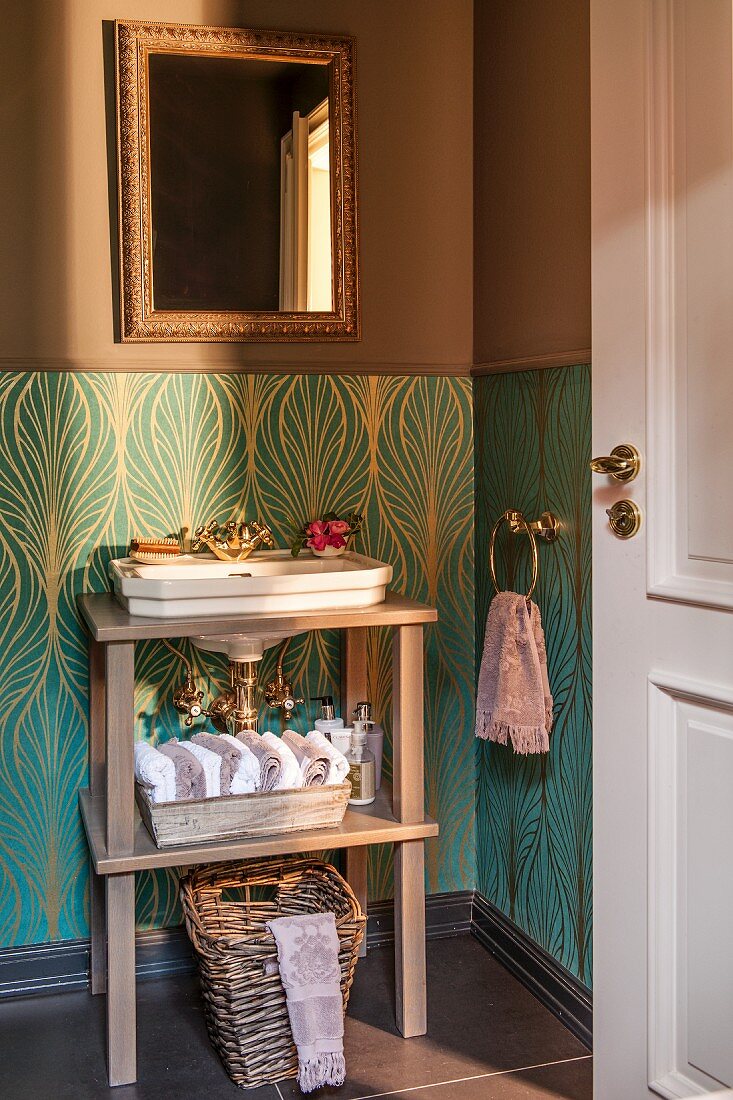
267 581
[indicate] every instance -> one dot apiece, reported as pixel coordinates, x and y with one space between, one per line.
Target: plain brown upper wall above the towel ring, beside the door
532 181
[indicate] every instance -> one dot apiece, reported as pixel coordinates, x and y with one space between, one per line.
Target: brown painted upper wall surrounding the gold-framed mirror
415 188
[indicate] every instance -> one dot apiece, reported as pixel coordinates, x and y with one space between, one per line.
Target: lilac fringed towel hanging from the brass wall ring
513 700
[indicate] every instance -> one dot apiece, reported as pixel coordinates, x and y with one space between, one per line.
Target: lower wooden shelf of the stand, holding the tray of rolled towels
375 824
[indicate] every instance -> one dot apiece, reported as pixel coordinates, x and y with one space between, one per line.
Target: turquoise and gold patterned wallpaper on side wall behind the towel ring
534 815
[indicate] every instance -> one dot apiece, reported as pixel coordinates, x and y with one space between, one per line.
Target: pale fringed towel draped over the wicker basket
309 961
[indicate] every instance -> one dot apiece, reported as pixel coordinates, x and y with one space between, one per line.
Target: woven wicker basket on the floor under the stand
246 1010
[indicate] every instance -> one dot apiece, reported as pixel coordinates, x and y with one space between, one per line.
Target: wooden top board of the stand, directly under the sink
110 622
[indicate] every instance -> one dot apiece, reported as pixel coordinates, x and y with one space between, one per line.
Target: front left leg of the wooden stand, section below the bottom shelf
122 1039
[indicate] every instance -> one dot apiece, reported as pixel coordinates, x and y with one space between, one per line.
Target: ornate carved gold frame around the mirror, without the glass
141 322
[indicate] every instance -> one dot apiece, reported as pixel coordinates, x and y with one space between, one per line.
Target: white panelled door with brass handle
662 75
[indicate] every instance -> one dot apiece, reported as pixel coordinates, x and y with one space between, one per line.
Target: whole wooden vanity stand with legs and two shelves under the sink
121 845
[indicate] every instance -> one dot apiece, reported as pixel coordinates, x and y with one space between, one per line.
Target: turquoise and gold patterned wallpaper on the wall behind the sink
90 460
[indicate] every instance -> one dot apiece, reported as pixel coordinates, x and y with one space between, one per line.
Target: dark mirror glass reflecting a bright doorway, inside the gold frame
240 184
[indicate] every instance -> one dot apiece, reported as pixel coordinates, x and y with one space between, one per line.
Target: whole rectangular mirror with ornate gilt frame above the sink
237 184
